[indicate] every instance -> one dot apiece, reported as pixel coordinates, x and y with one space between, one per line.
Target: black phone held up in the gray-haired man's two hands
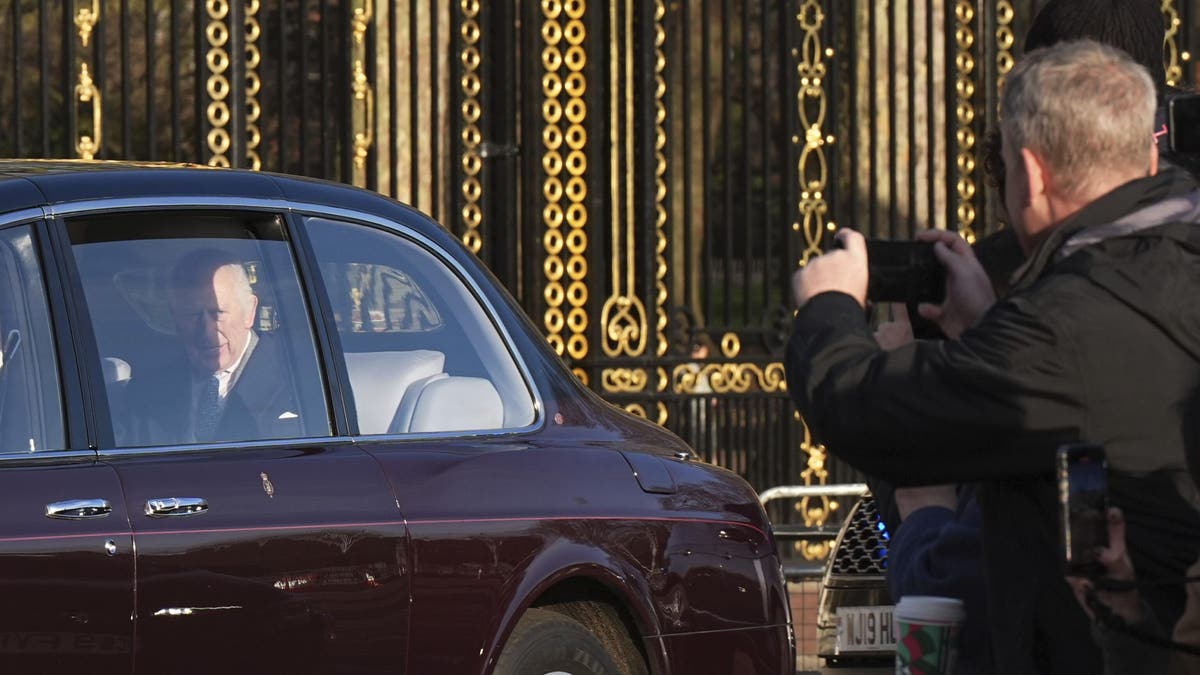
904 272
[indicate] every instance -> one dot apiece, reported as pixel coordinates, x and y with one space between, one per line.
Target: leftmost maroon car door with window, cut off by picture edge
67 552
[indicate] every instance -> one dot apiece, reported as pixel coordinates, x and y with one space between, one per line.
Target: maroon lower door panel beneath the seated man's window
295 564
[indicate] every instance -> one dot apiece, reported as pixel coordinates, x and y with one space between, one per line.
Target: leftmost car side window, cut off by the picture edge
31 399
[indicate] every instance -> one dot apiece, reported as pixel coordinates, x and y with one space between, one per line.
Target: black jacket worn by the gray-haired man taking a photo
1099 341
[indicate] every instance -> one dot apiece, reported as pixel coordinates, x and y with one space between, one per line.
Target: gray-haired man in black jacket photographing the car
1095 342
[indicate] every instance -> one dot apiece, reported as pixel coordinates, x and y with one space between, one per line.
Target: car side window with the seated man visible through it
201 326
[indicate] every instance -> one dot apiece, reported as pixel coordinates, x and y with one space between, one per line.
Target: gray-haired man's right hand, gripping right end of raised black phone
969 292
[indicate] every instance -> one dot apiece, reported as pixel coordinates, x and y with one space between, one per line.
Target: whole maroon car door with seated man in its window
265 542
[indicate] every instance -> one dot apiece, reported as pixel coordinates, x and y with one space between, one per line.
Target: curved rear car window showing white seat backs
422 353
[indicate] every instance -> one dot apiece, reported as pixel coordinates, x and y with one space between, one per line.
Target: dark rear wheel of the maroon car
548 643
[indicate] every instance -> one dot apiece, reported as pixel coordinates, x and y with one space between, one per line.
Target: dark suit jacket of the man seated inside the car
261 405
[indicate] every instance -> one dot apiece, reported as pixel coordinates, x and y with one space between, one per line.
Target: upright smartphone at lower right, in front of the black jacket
1083 499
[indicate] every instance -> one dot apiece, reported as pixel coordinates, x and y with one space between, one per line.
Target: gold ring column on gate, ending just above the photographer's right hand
965 117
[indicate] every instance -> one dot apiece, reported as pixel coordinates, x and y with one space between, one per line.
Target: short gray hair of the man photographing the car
1085 109
